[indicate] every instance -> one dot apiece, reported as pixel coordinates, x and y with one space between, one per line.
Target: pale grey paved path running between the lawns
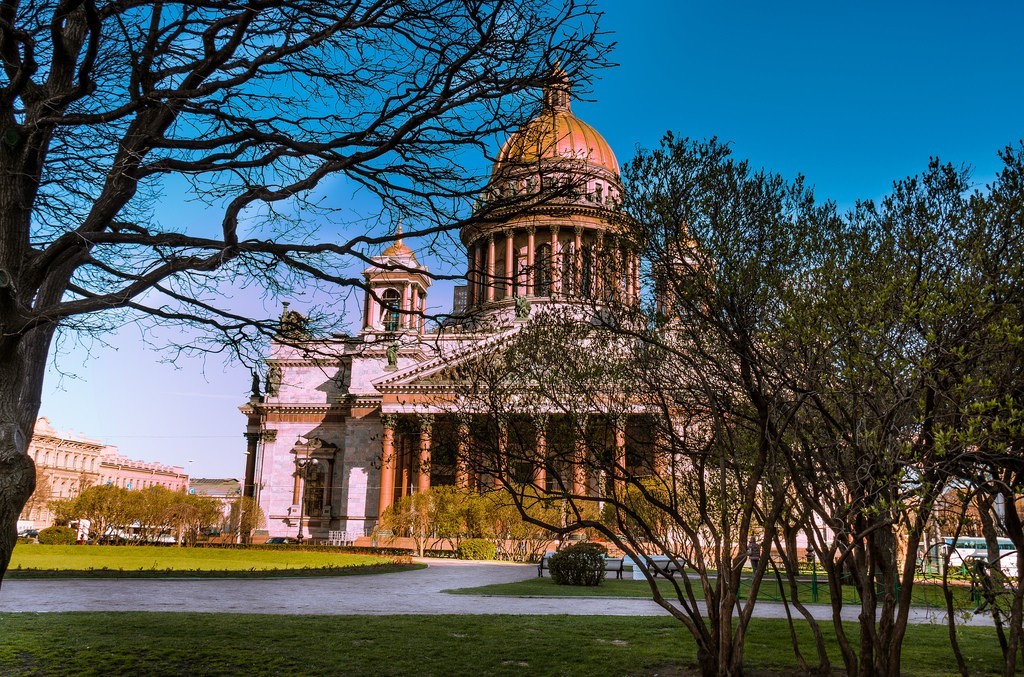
408 593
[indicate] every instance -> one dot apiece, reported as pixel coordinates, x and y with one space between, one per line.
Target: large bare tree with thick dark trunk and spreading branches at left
108 106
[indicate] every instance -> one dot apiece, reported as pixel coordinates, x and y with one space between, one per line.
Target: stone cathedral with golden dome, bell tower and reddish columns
348 427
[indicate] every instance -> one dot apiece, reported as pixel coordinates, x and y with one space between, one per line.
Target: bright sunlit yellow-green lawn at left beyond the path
33 560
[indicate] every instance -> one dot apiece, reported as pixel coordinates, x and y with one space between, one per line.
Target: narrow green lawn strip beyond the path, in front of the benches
924 595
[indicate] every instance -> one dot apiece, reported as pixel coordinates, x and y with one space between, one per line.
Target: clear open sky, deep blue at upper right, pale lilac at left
851 95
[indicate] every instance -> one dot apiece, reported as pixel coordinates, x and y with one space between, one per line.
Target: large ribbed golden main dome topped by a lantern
557 136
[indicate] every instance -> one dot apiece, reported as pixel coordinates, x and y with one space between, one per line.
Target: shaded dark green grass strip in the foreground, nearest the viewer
248 645
